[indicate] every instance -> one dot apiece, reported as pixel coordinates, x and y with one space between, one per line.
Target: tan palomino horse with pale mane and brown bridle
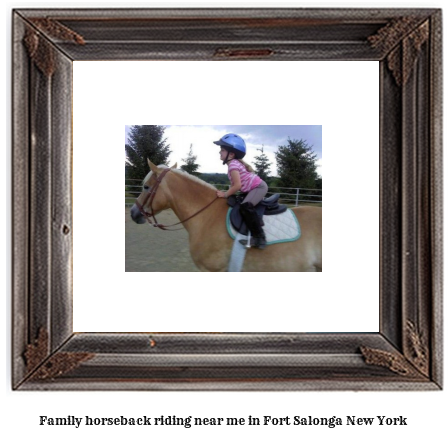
204 216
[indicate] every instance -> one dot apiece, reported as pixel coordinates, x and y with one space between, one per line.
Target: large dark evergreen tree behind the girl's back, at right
296 164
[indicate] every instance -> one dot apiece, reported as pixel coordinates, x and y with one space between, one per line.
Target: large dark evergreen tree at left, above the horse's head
145 141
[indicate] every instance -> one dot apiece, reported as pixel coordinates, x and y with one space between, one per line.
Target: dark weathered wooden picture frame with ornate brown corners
406 353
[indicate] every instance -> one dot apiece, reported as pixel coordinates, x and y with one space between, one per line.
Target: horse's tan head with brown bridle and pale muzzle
153 199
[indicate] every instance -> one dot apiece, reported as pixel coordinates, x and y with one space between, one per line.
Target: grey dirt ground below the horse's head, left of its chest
150 249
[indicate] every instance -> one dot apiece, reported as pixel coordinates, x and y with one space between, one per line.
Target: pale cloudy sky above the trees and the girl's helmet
180 137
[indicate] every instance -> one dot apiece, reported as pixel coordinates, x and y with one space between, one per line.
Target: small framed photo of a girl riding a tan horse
268 196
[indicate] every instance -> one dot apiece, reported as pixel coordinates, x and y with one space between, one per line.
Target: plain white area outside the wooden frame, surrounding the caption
425 411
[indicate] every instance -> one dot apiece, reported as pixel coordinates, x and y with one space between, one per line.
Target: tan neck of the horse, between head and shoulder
188 196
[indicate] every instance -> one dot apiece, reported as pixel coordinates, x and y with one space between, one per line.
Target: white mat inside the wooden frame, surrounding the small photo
346 103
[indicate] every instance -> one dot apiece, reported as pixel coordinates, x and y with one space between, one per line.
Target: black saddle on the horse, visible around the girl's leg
267 207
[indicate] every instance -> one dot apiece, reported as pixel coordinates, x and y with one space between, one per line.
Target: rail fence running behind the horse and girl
288 195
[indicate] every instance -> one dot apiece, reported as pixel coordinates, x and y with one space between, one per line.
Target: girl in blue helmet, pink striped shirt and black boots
242 177
